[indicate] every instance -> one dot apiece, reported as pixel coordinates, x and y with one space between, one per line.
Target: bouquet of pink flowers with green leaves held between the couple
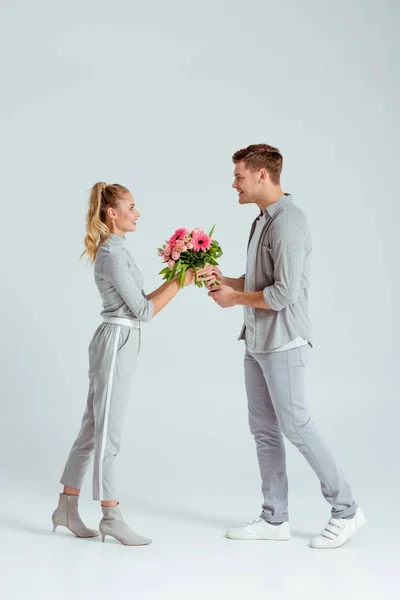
188 249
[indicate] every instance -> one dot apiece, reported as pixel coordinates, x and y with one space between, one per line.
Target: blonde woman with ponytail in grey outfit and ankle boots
113 353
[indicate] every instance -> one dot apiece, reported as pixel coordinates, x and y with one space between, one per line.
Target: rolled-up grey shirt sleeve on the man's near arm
288 256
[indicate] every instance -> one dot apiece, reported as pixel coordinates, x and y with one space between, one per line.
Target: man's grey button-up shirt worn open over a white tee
279 265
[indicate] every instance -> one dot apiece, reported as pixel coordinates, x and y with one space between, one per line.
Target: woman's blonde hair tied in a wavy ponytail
102 196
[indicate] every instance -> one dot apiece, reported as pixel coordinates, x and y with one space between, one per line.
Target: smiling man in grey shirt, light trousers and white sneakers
277 334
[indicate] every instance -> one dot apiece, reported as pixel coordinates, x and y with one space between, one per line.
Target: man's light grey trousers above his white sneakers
277 407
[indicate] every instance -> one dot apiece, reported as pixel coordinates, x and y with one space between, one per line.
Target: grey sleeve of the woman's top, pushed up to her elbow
120 276
